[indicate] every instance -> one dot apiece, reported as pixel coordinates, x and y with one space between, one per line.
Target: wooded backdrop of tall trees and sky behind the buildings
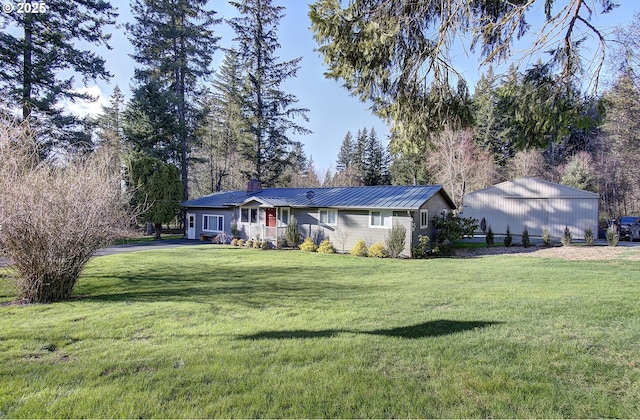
187 83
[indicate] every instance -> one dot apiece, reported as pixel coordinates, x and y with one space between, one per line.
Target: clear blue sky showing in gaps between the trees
333 112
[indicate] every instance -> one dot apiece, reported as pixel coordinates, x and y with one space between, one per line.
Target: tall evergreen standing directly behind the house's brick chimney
269 111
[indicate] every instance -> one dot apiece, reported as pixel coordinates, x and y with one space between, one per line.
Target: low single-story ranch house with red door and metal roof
342 214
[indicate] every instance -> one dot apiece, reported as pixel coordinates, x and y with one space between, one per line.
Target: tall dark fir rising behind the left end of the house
174 43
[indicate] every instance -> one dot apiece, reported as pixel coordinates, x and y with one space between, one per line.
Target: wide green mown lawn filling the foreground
219 332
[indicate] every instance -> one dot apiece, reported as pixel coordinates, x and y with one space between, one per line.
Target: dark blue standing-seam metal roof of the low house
375 197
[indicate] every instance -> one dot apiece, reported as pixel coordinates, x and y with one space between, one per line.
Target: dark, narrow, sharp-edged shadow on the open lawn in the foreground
426 329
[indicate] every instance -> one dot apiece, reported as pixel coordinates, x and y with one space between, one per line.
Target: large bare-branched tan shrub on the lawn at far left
54 216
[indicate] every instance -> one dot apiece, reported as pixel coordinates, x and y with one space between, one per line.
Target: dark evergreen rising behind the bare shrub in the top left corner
40 59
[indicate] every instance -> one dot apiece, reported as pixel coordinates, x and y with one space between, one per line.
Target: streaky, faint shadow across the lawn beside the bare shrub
245 285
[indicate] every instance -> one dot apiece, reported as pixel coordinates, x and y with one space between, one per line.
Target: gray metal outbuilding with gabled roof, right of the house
534 204
